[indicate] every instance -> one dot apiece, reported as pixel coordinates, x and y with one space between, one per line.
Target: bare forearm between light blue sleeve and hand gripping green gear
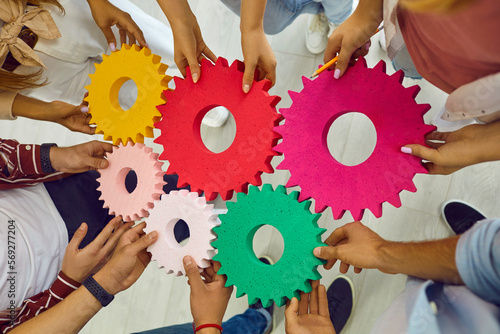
433 260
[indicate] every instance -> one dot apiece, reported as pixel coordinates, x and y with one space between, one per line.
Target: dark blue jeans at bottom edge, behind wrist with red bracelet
251 322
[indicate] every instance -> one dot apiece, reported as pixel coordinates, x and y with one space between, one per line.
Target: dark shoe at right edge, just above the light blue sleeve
460 215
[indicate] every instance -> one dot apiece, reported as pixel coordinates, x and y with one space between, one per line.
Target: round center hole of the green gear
264 237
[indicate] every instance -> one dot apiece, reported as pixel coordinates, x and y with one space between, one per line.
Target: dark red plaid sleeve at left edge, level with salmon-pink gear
20 165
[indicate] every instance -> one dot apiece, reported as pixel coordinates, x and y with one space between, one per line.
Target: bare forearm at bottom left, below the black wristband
69 316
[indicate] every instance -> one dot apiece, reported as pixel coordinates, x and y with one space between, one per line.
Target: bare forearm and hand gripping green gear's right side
355 244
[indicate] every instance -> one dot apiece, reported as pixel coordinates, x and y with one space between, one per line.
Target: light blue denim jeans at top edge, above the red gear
281 13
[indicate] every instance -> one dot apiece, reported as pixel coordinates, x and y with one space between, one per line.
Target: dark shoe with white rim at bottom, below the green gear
340 296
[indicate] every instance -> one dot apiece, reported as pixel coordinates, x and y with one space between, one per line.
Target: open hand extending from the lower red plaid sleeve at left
78 264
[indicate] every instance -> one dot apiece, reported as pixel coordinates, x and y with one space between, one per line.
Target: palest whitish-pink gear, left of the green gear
198 215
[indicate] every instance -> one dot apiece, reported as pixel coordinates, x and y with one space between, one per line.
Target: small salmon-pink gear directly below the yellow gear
142 160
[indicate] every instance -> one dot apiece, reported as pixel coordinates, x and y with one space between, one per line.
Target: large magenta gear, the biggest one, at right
397 118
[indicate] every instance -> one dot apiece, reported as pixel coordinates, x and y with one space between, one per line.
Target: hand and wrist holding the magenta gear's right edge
455 150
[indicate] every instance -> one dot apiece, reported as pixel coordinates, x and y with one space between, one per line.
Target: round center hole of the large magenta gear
351 138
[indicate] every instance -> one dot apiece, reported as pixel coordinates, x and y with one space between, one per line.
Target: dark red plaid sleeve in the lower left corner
35 305
